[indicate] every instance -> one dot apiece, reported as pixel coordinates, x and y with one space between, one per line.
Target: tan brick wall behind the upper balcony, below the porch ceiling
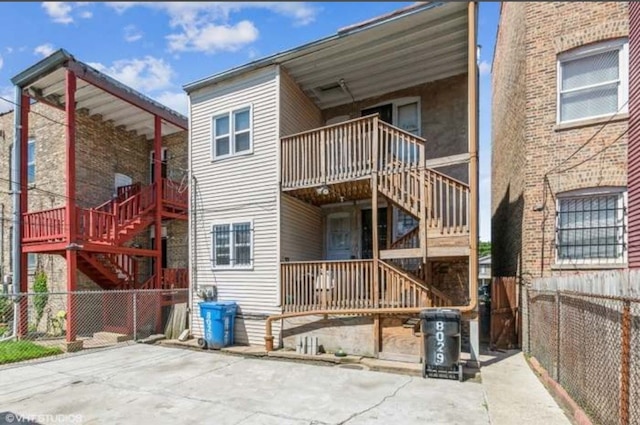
443 114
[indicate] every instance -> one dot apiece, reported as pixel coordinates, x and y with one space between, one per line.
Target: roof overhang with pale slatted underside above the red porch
98 94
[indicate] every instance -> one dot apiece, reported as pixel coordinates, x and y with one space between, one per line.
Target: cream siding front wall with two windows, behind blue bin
235 189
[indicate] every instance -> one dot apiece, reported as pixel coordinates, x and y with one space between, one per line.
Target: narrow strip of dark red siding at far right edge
634 135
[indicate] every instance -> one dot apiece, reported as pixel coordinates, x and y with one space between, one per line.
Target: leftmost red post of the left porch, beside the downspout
21 187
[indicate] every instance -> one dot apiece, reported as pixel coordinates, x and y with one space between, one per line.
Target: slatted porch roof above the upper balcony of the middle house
418 44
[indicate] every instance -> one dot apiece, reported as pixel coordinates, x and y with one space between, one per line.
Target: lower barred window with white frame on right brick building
591 226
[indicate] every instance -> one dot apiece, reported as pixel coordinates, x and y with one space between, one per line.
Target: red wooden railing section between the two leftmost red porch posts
44 226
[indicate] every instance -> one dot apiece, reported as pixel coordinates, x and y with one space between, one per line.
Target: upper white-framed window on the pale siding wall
232 133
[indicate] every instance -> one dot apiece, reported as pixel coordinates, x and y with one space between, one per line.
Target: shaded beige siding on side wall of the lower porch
301 230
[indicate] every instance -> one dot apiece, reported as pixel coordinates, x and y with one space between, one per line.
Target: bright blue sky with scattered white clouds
157 47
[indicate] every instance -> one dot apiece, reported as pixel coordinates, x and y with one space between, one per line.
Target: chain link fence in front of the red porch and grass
34 325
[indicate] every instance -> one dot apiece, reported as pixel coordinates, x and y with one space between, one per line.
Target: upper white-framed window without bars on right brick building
593 81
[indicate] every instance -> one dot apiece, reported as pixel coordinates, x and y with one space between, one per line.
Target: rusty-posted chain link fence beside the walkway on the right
590 344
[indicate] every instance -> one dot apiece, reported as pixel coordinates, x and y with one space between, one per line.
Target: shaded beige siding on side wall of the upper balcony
297 112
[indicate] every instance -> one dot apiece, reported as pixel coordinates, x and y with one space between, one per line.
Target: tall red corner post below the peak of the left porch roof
70 214
